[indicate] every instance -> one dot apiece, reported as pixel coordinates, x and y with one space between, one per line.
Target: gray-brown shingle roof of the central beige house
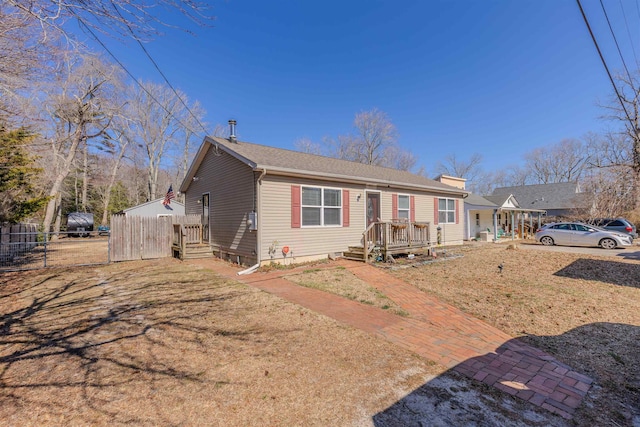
290 162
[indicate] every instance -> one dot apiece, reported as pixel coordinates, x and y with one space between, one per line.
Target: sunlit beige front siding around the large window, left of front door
275 221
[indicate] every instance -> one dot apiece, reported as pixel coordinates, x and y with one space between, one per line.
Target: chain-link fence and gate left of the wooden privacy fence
22 247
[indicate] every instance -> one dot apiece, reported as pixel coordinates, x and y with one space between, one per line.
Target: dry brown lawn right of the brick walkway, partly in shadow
585 310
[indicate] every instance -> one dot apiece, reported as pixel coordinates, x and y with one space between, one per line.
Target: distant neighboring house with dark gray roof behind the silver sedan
558 199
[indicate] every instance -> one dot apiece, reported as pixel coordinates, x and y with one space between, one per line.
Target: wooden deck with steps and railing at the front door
383 239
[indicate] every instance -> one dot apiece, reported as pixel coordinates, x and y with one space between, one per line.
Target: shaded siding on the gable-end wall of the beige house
230 184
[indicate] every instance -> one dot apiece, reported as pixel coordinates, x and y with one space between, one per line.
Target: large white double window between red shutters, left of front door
321 206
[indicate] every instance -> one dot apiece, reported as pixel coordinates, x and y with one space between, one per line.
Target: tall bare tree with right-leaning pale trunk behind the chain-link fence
79 111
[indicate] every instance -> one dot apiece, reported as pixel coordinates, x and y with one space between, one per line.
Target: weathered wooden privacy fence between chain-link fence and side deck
135 237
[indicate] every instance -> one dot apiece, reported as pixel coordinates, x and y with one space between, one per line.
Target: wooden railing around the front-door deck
395 236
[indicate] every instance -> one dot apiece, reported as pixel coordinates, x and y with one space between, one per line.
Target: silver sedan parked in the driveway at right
578 234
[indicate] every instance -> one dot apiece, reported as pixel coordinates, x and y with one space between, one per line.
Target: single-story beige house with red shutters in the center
263 204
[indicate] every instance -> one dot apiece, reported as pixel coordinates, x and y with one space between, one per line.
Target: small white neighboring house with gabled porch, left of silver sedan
493 217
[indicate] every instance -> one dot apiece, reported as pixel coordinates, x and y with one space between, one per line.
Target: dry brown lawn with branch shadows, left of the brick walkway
166 343
